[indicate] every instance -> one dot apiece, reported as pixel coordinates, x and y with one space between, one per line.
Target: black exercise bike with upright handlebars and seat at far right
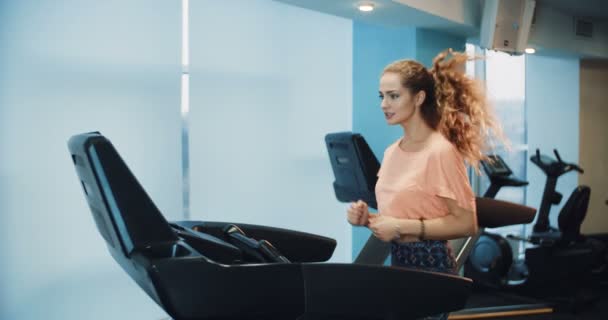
562 253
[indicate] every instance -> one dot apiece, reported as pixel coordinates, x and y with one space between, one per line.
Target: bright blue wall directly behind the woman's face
373 48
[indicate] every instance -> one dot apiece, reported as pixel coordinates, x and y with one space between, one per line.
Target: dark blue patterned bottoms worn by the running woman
427 255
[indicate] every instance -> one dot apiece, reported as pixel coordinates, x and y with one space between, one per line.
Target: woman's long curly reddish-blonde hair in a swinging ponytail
455 104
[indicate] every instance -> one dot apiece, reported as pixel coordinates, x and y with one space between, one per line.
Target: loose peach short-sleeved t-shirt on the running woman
409 182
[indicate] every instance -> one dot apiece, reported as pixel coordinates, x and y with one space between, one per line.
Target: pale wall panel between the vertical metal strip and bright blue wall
268 81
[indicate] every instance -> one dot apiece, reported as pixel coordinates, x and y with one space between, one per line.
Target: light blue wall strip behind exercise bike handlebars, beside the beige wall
552 112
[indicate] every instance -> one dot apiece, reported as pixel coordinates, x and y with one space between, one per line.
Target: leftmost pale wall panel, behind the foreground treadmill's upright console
68 67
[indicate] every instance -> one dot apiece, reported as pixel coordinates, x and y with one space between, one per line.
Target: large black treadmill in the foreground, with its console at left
229 271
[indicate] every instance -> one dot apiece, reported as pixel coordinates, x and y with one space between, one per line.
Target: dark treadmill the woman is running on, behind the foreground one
355 169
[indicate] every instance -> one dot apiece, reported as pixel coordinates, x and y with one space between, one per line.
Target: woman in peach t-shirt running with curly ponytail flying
423 193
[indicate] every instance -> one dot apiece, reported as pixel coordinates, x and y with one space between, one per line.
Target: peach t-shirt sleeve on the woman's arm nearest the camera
447 177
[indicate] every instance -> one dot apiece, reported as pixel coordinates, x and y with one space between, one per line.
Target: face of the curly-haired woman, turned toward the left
397 102
